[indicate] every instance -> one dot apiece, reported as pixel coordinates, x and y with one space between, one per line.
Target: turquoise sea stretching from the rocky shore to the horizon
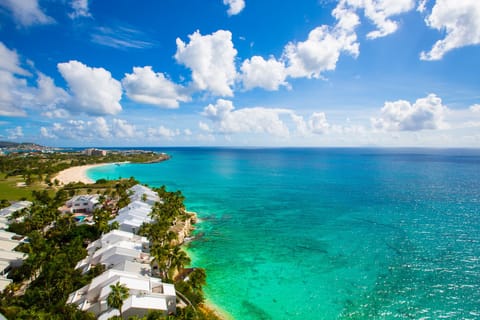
331 233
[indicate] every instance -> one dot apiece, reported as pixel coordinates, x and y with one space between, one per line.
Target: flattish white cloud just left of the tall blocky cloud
146 86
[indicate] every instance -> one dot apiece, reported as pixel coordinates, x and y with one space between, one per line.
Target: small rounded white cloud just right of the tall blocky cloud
267 74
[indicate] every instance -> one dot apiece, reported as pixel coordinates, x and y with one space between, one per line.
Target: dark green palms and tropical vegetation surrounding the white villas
56 242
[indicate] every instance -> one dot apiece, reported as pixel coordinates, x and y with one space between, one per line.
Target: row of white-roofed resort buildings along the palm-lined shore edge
127 259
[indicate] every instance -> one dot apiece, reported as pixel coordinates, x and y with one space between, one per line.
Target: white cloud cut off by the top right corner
460 20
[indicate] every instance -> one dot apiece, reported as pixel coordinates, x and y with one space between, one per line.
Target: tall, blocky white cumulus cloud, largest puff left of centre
211 59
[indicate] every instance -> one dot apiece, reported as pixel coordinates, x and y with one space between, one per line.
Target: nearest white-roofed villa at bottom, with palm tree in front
146 293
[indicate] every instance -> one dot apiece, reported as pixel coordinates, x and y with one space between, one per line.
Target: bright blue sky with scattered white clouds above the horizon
320 73
